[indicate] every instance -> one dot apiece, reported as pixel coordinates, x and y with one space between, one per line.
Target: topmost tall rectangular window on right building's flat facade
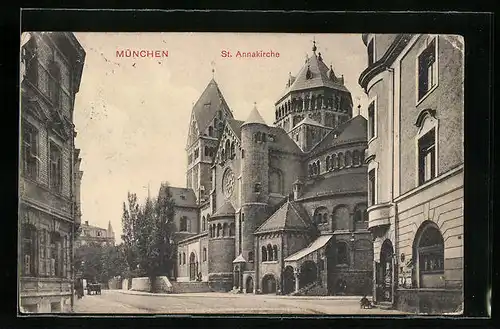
427 69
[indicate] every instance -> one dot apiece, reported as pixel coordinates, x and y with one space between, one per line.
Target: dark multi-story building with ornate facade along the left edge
52 65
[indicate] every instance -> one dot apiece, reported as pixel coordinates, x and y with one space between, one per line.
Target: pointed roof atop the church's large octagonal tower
320 76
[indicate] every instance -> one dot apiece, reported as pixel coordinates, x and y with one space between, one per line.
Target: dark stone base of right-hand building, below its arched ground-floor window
428 301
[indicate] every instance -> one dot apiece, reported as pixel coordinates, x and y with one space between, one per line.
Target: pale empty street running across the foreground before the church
123 302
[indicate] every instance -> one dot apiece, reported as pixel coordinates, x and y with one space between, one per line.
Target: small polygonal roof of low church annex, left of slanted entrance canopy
290 216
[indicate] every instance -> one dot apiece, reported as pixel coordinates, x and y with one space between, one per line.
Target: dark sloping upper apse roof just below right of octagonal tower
354 129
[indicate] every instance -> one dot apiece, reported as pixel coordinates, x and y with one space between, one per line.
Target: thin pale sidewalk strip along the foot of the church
231 295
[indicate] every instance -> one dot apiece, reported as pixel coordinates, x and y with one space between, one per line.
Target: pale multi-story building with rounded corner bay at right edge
415 162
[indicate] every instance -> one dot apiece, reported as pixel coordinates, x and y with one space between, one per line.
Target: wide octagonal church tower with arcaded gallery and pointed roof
314 102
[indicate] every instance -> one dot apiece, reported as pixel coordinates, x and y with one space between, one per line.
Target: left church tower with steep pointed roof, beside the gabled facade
205 129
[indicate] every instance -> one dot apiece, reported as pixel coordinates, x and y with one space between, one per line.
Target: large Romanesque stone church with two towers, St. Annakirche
279 209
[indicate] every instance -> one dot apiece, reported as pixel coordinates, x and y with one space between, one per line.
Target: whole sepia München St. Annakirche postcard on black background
241 173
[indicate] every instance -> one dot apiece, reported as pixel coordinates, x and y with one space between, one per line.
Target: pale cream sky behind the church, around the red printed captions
132 114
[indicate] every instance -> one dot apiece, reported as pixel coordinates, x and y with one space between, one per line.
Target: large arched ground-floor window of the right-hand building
429 244
